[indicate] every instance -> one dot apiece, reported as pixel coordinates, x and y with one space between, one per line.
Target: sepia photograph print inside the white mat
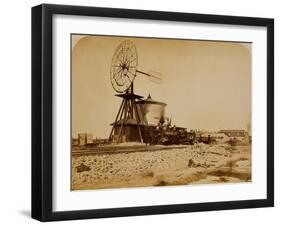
150 112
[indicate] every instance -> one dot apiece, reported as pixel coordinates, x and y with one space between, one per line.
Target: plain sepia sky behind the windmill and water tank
205 84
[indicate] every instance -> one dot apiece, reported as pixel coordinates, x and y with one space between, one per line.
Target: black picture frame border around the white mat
42 111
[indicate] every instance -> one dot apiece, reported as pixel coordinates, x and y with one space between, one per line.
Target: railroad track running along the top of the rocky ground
123 149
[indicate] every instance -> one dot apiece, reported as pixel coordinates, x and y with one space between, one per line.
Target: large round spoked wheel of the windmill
123 66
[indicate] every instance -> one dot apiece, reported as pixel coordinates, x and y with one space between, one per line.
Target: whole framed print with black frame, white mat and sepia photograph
146 112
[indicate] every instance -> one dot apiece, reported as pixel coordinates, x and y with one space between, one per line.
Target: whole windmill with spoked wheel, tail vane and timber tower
123 71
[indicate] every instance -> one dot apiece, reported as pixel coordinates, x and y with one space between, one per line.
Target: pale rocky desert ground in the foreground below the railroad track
182 165
